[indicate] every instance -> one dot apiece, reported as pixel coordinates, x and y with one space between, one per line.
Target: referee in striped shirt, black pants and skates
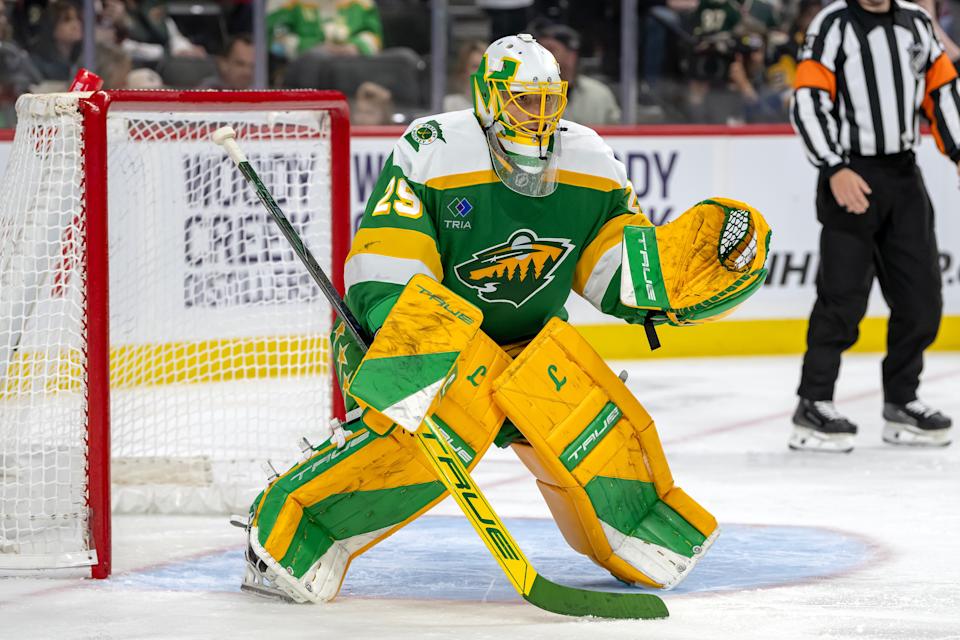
867 70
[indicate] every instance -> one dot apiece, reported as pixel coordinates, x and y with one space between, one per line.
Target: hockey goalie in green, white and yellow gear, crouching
508 208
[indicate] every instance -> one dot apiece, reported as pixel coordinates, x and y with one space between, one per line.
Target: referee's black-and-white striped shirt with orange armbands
863 80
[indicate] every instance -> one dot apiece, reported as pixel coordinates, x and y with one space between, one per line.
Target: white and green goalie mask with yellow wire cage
518 98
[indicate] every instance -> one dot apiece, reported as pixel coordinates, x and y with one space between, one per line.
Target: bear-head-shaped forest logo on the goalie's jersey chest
515 270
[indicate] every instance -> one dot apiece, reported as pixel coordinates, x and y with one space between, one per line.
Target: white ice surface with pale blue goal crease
813 545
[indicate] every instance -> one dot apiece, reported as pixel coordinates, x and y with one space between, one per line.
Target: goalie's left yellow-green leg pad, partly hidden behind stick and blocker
312 521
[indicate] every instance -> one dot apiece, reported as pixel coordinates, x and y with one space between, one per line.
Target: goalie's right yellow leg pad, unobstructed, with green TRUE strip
599 464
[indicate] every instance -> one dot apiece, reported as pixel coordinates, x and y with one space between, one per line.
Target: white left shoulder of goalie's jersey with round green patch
442 145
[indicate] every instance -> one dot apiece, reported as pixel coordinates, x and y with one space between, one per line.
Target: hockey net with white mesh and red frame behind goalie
218 351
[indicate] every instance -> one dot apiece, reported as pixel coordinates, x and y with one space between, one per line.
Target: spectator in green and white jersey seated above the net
336 27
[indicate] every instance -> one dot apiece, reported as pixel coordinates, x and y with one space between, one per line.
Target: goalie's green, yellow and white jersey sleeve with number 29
396 240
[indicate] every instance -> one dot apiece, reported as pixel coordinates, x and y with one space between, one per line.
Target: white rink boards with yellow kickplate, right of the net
674 167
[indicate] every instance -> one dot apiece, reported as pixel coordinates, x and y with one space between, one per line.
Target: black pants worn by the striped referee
894 241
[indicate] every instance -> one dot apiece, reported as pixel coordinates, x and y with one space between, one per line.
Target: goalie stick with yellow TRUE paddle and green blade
533 587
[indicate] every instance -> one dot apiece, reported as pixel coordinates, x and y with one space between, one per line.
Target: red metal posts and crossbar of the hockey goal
94 110
